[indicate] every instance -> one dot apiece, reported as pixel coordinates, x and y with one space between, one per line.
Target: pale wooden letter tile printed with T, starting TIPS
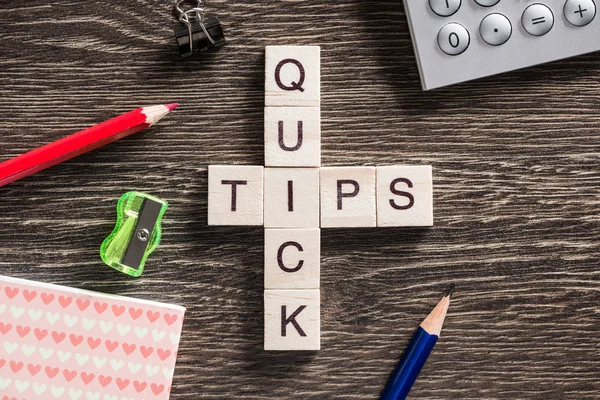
235 195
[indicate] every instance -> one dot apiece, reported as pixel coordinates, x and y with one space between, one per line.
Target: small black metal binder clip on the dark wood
197 31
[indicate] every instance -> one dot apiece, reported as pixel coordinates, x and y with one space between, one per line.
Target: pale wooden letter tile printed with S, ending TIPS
404 196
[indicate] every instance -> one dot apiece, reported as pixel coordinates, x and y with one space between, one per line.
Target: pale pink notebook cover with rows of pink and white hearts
62 343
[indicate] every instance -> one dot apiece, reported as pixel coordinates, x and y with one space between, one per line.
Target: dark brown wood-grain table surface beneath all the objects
517 197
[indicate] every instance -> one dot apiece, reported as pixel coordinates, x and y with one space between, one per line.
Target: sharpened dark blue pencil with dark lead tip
417 352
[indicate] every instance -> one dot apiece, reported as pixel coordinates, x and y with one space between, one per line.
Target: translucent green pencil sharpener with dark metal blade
136 234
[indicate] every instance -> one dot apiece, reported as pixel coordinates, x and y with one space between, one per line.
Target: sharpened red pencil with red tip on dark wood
81 142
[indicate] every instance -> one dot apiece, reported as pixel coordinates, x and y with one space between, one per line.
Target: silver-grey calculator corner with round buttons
461 40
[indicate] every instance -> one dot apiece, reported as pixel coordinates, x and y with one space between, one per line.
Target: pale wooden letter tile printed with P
348 197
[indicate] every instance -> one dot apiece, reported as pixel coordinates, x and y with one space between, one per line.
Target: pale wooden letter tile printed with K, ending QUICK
292 320
